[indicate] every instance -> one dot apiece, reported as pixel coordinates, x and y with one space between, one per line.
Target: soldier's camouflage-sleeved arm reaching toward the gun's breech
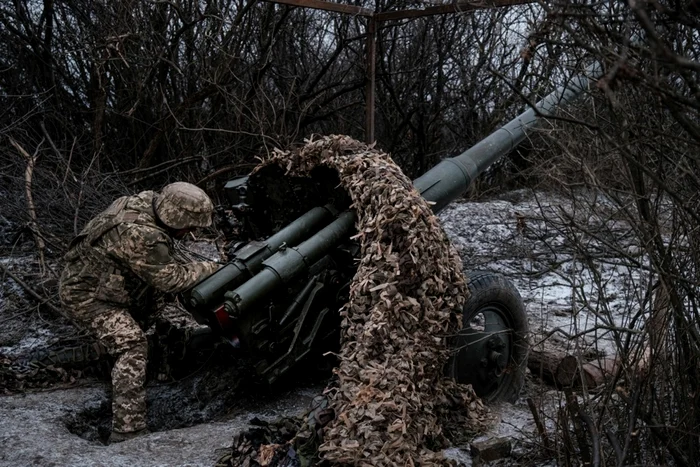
146 251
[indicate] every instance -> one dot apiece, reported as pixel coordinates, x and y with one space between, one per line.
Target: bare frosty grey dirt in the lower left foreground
58 428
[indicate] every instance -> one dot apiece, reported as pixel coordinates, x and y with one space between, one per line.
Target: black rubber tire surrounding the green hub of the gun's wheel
496 295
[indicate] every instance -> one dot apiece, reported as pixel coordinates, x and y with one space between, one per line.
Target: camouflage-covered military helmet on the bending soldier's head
182 205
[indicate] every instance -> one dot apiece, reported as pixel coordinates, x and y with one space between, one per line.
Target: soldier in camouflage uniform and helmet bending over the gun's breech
113 268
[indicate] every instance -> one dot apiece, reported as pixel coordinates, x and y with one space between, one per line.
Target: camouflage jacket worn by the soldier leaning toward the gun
122 254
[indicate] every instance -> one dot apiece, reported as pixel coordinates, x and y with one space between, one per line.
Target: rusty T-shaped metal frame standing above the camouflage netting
374 17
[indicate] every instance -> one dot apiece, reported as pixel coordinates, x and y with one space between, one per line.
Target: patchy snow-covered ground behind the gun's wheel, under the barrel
588 288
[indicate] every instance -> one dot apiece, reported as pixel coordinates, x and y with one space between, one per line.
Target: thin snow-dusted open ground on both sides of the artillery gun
585 285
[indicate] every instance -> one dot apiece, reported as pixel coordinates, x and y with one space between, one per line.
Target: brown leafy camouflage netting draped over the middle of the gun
389 394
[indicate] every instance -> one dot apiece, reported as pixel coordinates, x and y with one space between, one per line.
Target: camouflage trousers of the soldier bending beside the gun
124 339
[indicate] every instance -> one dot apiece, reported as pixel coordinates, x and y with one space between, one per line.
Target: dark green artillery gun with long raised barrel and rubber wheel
278 298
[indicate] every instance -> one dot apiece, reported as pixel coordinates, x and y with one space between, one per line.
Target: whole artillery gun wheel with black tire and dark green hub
491 349
